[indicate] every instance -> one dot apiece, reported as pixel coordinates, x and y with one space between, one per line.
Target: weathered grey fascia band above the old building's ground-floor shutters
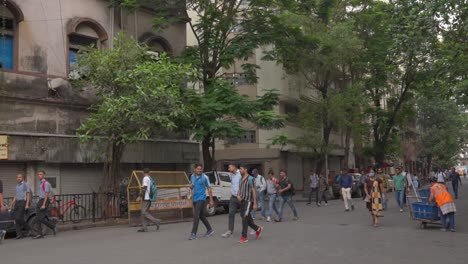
70 150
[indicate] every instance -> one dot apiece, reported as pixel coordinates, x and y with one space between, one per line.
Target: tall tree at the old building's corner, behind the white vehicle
225 32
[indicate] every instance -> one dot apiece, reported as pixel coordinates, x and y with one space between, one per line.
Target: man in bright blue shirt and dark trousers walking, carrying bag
200 184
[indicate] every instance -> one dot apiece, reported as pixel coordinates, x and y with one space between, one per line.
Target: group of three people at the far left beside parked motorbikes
21 204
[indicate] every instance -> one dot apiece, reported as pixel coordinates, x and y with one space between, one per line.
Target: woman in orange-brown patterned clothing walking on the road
374 188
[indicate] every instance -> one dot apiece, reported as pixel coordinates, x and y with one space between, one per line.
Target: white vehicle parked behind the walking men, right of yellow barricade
220 182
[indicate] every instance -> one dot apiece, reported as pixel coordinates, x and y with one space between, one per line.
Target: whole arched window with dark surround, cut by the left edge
10 16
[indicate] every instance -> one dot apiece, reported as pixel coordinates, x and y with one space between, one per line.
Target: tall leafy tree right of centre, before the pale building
322 47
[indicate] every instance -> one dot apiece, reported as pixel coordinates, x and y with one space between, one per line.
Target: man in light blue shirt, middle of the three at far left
21 203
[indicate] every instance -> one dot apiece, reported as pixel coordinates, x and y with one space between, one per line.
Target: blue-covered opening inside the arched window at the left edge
7 39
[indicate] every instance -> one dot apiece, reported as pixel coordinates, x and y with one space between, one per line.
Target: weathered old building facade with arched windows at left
39 109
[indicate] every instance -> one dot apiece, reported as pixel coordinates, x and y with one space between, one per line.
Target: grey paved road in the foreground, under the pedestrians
322 235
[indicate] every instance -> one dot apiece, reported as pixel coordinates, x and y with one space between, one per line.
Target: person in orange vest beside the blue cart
445 203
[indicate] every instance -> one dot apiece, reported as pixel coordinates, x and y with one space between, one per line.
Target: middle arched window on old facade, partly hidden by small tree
82 33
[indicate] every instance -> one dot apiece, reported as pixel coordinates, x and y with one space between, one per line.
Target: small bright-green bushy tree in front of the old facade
138 97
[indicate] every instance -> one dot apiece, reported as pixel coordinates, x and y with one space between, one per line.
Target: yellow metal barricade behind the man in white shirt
173 202
